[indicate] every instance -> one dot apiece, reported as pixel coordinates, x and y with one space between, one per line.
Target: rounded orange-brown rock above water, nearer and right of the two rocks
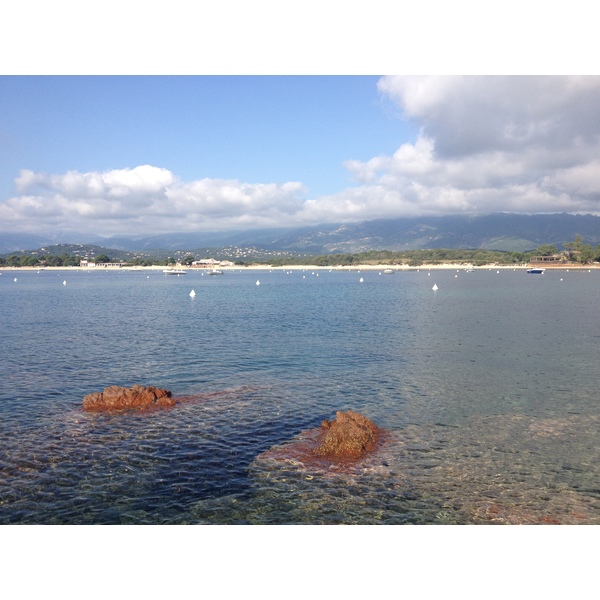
350 435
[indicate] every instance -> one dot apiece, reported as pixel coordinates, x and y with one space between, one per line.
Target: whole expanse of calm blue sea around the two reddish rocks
488 388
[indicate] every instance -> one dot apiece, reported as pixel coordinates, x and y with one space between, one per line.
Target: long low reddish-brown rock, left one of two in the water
115 397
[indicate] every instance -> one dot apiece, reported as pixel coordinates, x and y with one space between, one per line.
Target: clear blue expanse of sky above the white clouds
264 129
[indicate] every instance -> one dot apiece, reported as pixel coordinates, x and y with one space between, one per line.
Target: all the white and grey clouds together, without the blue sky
485 144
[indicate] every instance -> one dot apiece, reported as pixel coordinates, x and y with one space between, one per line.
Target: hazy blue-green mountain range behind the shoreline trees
499 231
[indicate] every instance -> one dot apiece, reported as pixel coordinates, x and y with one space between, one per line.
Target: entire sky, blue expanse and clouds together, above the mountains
131 155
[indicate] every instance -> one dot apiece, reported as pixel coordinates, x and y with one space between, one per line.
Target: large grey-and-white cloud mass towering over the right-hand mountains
486 144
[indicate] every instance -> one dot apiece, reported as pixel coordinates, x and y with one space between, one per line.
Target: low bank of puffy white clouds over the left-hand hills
146 199
